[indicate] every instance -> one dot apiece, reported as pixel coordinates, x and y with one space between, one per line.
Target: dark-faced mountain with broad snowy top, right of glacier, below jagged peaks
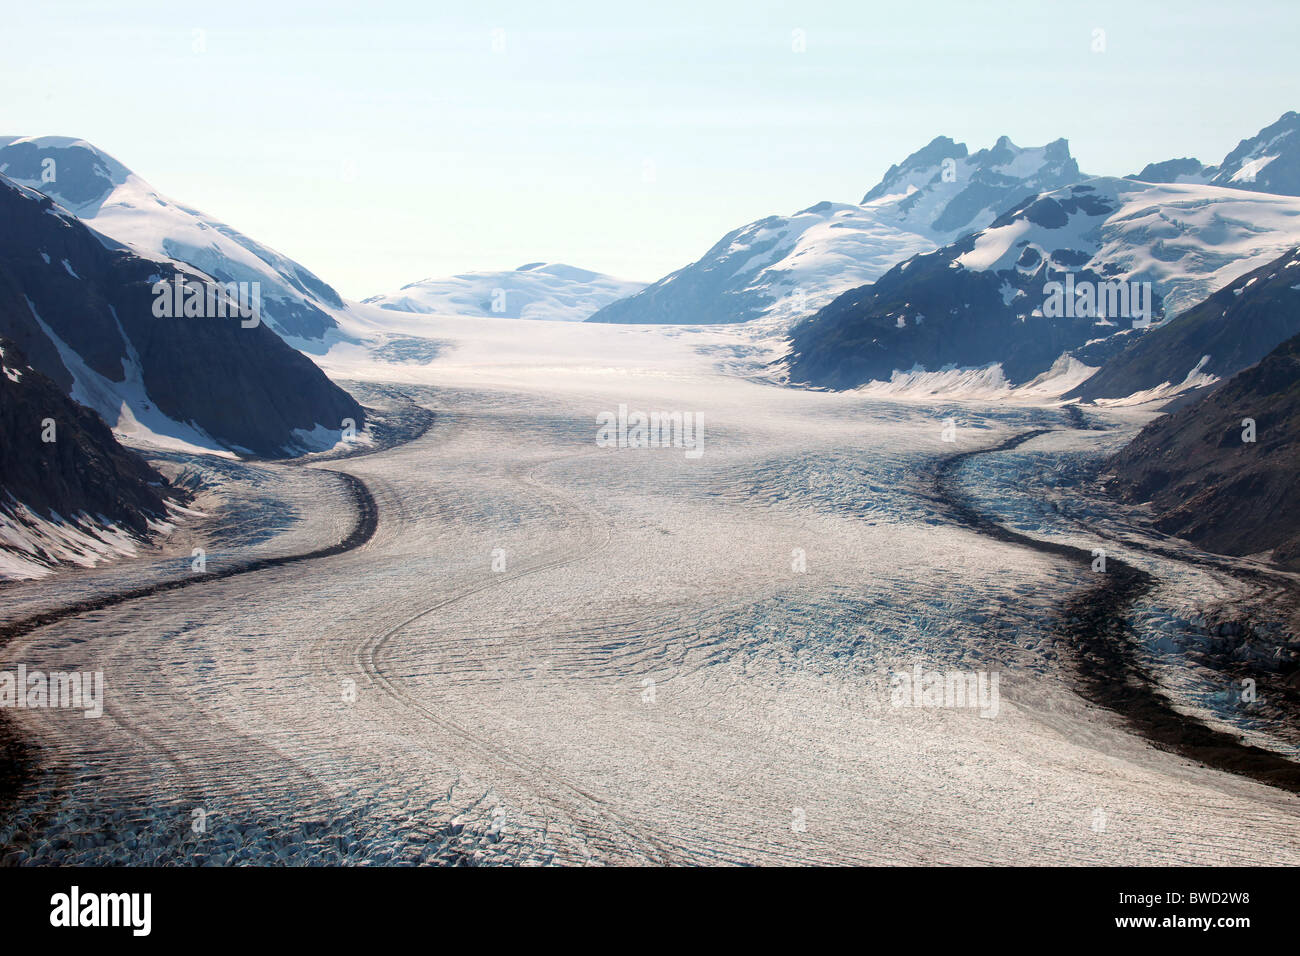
1067 271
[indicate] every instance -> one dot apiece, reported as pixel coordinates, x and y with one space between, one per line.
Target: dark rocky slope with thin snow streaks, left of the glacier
86 317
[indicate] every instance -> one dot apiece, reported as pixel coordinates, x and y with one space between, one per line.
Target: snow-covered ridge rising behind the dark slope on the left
124 209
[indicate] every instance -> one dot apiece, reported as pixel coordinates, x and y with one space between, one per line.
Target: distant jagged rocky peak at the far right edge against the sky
1268 162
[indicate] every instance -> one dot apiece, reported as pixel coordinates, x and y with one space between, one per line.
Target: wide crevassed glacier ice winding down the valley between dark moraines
553 652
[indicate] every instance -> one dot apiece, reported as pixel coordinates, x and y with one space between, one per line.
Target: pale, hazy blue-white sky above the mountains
380 144
